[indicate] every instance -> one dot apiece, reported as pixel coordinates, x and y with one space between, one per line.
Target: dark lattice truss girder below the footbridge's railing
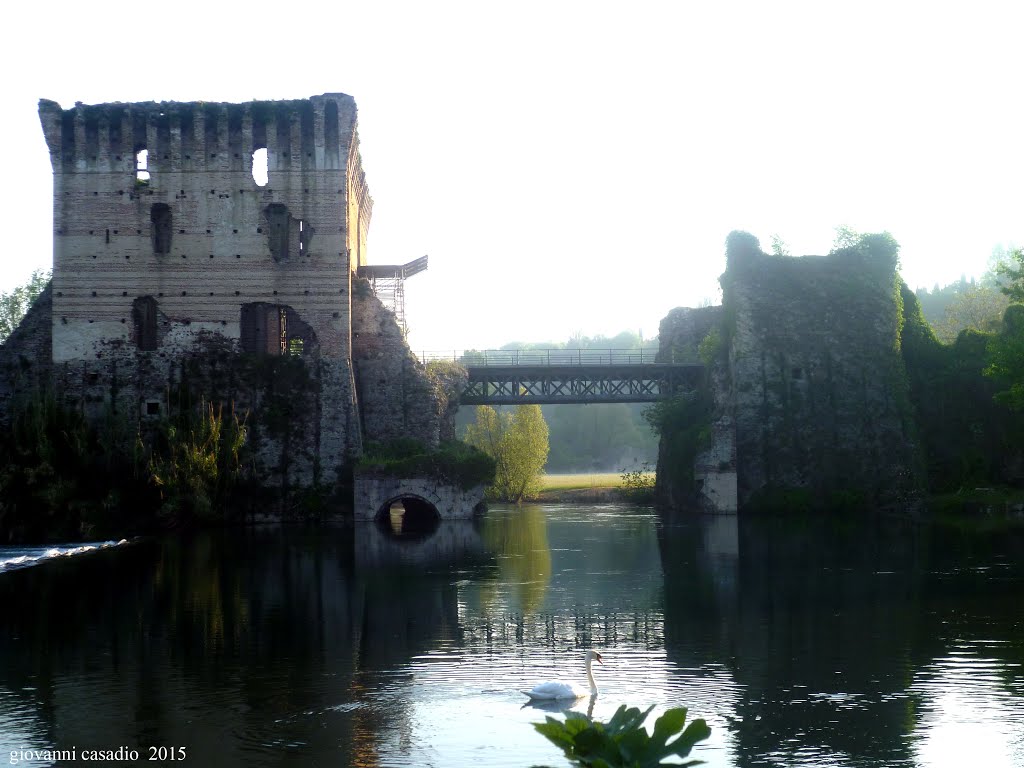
514 386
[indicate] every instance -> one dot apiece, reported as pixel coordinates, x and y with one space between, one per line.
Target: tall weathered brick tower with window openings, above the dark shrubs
174 265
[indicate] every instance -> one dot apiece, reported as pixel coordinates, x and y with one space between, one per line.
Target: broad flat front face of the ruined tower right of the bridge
821 397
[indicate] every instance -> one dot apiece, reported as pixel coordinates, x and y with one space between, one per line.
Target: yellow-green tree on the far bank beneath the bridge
518 443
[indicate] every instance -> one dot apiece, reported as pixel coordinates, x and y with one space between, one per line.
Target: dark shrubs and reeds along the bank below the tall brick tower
64 479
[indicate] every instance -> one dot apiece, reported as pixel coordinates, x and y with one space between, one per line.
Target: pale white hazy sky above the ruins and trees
576 166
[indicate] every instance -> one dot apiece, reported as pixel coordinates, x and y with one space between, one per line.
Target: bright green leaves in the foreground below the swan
623 742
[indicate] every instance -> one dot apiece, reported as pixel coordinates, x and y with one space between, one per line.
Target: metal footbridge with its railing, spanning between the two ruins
556 376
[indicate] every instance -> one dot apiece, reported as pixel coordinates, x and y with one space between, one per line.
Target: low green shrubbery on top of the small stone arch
454 462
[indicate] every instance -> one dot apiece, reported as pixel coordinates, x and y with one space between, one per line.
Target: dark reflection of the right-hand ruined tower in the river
826 623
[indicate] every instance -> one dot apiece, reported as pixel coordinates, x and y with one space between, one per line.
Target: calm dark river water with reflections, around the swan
868 645
